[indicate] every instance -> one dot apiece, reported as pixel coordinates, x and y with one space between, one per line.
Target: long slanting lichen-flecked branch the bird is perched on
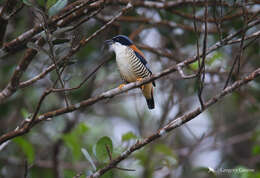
114 92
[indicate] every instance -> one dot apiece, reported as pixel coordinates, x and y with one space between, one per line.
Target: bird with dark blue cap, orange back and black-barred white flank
132 65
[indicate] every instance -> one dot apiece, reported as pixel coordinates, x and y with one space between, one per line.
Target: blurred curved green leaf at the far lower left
27 148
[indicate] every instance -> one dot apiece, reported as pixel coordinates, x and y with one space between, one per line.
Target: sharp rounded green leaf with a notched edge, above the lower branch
101 150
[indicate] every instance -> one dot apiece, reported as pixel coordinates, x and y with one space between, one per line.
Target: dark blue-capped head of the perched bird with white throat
119 40
